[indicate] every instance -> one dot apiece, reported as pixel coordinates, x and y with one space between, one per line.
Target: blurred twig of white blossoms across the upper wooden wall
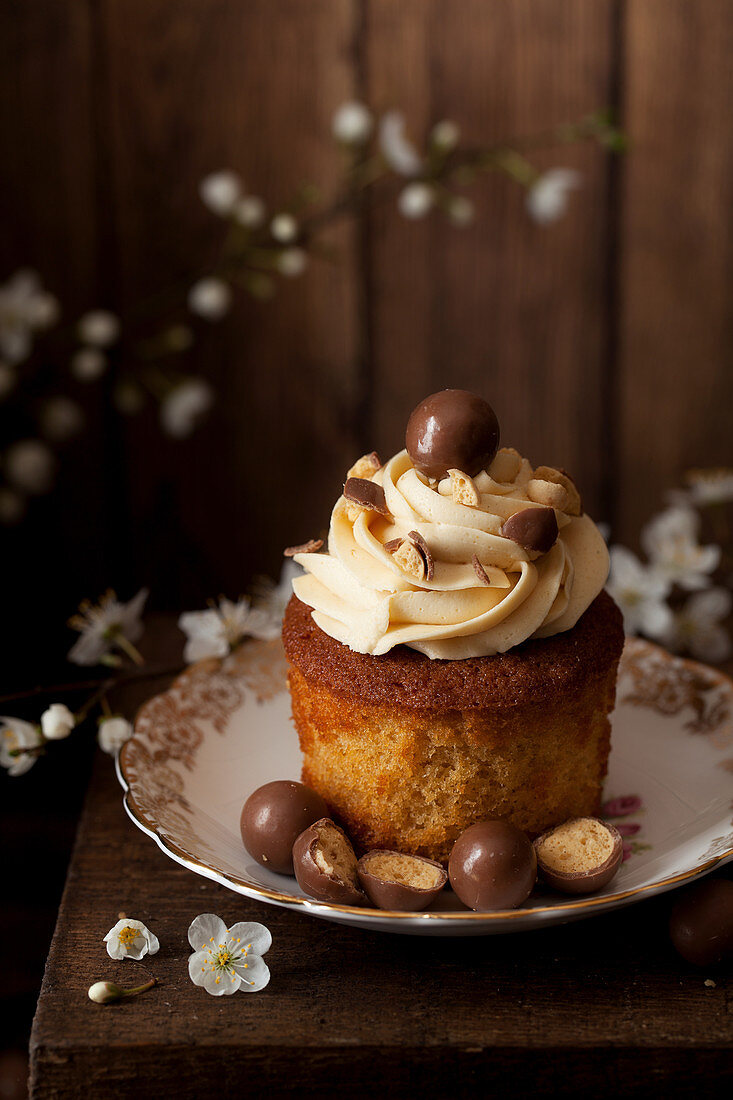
143 351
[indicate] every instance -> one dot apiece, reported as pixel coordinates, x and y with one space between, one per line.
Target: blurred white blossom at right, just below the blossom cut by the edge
671 543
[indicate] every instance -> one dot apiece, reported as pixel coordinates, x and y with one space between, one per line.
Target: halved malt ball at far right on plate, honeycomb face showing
581 856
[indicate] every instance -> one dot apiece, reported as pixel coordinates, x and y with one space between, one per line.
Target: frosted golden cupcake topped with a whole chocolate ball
453 657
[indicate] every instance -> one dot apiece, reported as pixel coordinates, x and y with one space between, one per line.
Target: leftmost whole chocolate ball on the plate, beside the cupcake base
275 817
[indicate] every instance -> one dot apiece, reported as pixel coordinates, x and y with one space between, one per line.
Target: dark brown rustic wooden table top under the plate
603 1007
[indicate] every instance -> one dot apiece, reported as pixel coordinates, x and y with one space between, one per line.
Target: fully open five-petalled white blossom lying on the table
228 960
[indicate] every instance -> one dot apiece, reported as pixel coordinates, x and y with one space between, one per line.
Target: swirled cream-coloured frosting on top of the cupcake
363 598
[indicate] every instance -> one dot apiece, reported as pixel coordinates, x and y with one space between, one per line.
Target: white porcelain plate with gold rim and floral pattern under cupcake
224 729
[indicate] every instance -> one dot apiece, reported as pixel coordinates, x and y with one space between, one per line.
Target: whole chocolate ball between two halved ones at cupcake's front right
493 866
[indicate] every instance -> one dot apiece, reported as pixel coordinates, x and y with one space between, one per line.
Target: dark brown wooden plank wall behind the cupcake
604 342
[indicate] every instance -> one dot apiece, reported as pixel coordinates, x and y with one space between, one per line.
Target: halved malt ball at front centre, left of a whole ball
393 881
